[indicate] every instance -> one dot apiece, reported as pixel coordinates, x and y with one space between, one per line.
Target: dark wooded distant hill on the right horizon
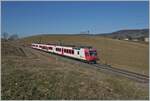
135 33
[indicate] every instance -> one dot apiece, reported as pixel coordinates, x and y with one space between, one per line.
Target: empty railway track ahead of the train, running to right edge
130 75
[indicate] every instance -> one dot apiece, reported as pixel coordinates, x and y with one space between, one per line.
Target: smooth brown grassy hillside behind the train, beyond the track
121 54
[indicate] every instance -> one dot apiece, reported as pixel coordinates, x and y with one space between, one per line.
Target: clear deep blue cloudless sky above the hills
27 18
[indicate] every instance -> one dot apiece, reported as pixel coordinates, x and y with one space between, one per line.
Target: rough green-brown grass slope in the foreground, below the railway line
31 74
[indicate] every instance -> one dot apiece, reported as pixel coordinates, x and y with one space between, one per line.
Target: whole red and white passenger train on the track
85 53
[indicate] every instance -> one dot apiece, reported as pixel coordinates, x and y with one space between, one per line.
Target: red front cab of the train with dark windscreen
91 56
